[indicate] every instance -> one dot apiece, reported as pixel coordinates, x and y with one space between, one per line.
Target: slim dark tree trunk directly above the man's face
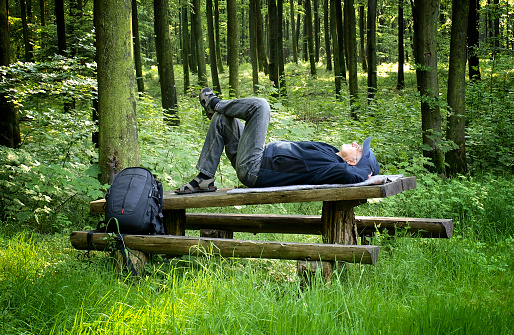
351 37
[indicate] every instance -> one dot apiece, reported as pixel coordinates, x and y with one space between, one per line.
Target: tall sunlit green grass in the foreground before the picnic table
419 286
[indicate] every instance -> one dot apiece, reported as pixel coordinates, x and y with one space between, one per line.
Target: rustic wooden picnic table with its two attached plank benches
338 225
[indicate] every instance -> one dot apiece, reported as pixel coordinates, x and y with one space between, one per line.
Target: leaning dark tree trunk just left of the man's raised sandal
165 61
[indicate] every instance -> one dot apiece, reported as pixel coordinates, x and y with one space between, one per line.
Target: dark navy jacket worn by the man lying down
305 163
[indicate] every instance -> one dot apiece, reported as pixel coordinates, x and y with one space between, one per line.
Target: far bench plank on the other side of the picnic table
311 224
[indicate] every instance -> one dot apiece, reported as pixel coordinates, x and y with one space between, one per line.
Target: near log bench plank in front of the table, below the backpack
184 245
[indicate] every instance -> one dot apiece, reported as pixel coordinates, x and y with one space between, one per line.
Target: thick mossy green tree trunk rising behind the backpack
116 88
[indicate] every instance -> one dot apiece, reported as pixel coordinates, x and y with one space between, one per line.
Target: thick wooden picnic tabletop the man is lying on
220 198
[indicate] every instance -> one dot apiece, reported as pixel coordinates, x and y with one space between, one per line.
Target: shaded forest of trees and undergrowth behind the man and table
322 66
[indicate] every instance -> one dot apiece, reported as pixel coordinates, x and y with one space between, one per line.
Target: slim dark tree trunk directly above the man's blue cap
371 49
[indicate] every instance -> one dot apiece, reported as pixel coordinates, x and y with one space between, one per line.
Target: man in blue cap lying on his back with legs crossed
280 163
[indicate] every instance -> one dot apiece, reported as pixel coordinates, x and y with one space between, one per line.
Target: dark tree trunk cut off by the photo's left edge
9 123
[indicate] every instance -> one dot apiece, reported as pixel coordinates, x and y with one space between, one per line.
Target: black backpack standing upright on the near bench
135 201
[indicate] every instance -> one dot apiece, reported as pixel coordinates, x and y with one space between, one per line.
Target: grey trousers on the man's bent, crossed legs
243 144
